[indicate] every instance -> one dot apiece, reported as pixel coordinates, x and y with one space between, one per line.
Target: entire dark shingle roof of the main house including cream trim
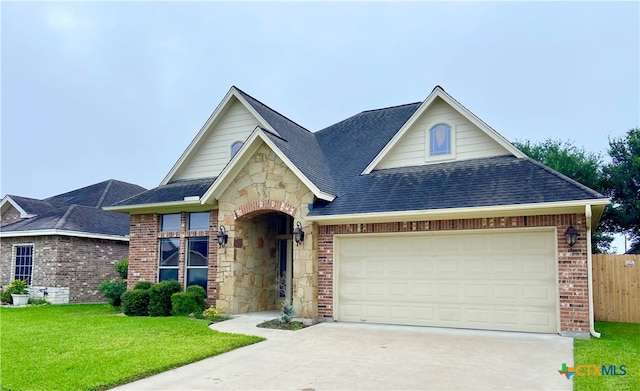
337 164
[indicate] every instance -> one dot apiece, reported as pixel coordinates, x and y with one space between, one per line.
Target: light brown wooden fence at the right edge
616 288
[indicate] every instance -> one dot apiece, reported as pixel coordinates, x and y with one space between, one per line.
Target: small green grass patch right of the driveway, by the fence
618 345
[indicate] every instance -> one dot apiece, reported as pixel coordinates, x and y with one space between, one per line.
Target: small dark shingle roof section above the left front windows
171 192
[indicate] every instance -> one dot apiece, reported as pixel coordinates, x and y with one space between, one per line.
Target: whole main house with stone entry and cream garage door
419 214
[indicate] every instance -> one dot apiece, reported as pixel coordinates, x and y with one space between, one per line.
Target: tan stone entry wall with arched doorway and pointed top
265 184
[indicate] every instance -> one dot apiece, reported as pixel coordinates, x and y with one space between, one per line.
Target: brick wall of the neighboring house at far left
70 268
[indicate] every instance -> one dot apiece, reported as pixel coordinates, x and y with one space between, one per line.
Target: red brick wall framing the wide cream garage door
572 264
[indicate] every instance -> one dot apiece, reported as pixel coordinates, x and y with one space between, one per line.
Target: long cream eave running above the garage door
460 213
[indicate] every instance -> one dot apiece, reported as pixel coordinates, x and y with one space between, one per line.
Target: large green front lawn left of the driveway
93 347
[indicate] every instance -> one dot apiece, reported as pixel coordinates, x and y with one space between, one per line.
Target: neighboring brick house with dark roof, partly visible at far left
65 246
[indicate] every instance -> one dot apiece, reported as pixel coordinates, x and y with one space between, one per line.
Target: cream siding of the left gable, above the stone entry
214 153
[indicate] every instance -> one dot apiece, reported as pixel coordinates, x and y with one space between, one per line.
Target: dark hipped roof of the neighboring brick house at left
75 213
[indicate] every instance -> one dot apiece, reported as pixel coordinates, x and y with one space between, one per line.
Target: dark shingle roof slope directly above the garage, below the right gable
503 180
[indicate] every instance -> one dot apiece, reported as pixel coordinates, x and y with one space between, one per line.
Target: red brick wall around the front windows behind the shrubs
144 244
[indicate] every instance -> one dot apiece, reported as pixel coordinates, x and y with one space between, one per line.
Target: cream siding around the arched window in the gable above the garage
471 142
